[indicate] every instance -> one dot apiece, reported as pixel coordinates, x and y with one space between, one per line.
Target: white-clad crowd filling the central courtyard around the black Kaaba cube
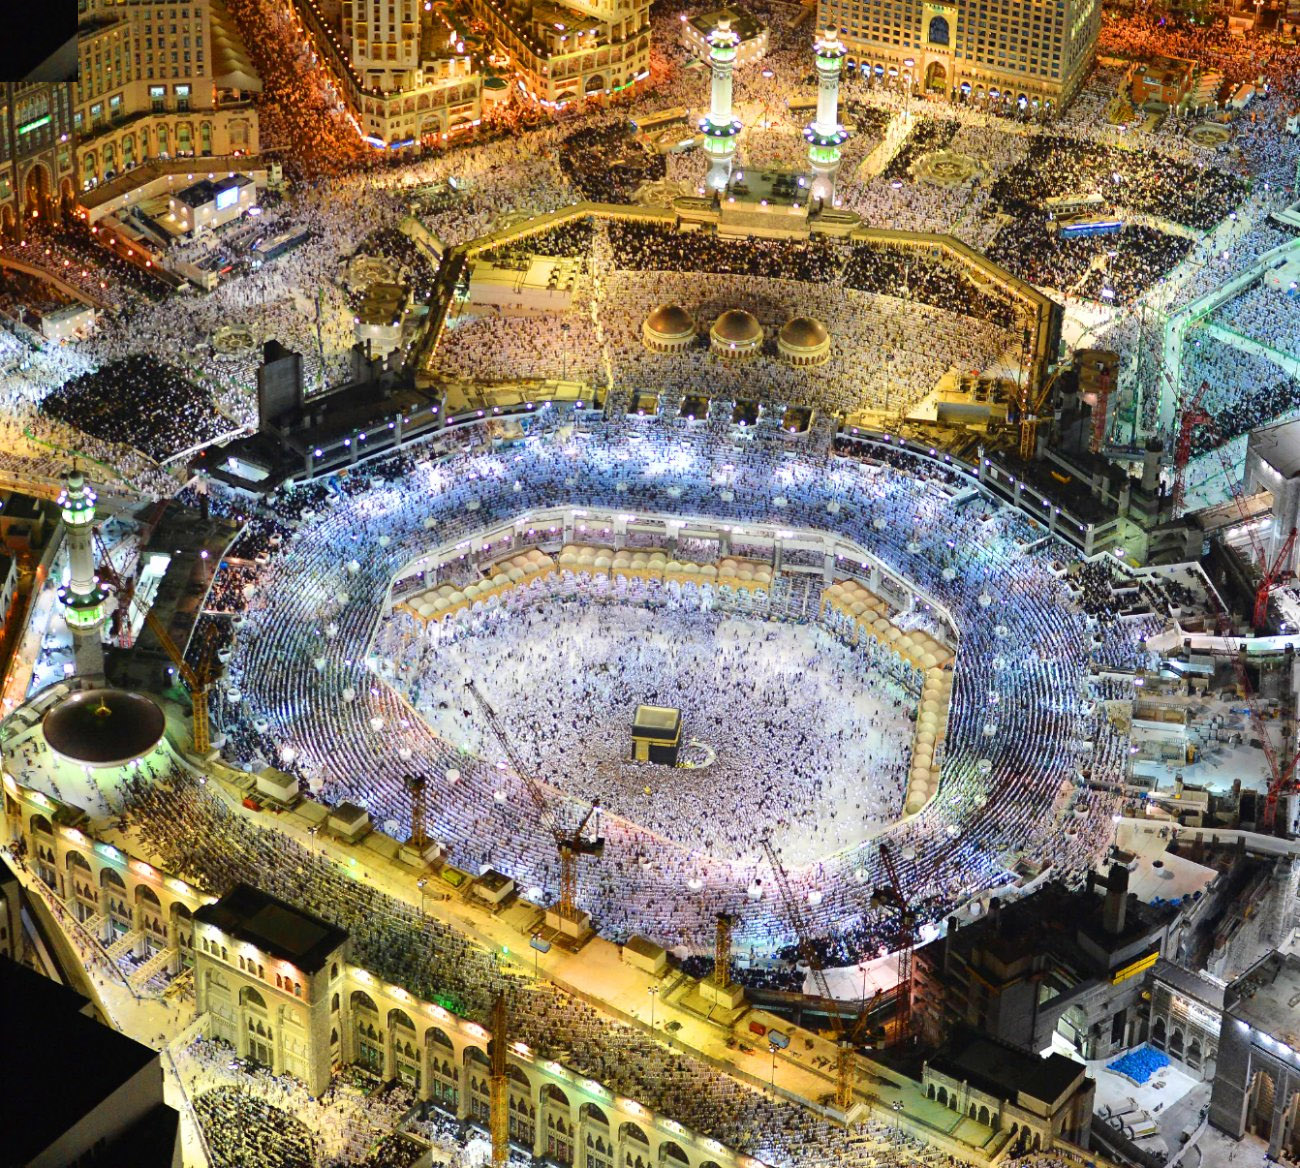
794 728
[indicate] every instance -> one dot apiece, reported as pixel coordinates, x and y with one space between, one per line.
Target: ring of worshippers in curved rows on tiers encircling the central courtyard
292 637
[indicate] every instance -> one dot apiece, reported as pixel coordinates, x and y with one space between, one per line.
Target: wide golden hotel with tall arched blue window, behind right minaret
1028 53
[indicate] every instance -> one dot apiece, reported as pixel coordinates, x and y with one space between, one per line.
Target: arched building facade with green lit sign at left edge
37 161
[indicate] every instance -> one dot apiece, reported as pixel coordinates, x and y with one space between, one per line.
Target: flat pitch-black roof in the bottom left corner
70 1063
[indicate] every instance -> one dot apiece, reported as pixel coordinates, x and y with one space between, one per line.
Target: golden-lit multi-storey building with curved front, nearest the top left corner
159 80
